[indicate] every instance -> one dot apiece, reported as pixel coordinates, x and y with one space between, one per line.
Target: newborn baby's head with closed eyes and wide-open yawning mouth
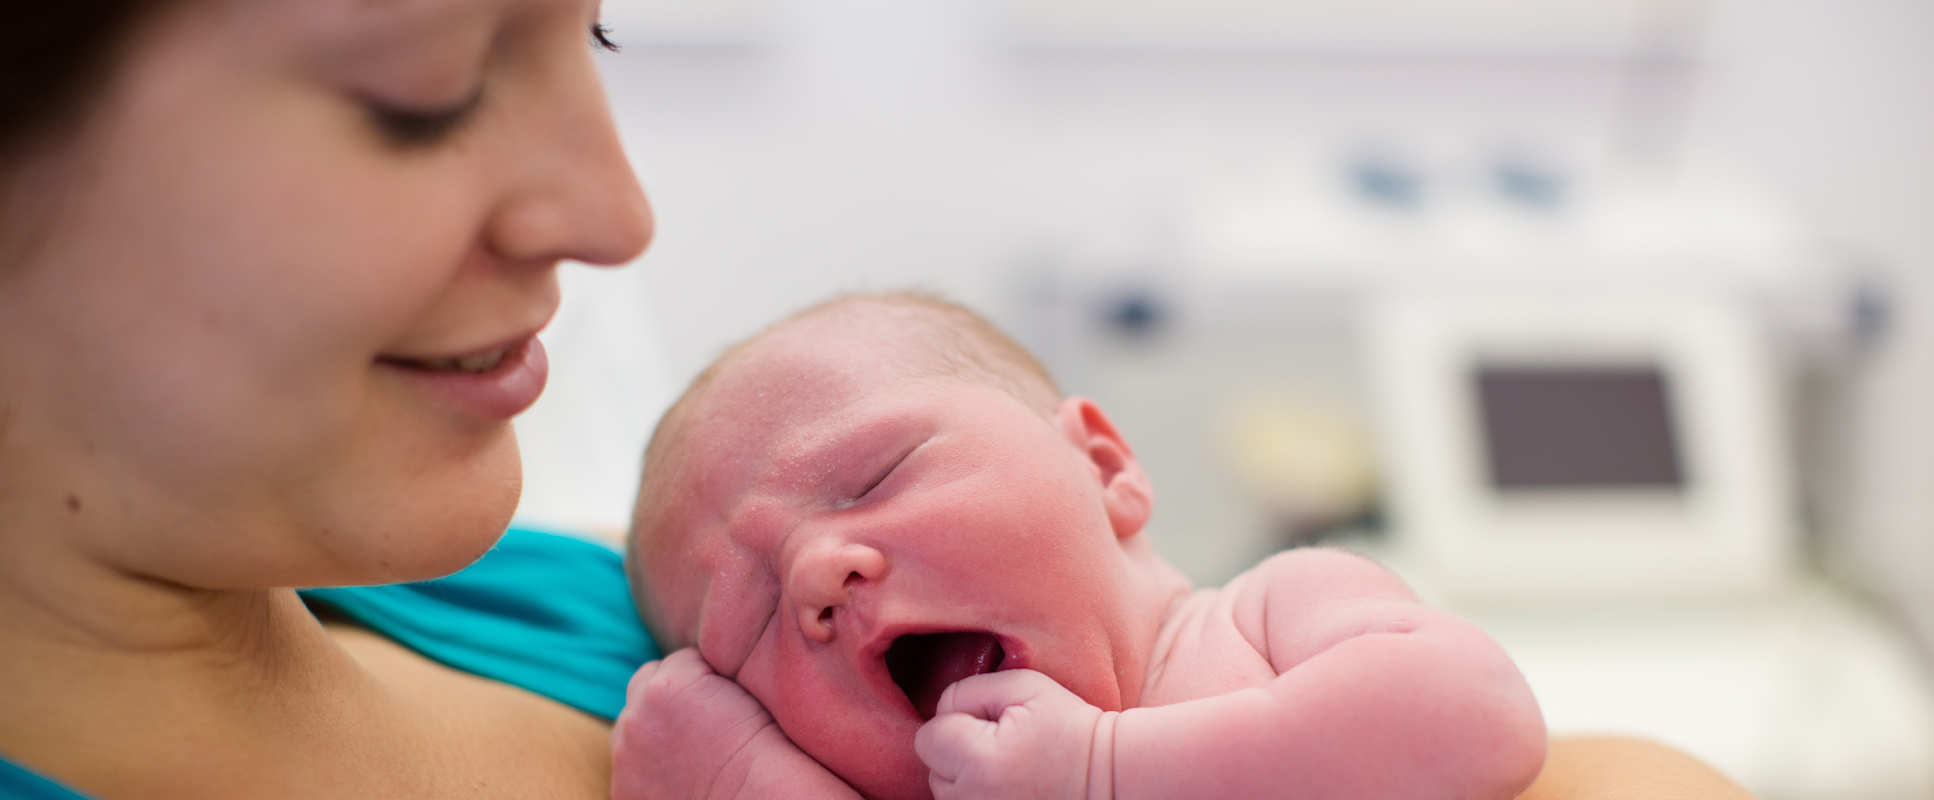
883 496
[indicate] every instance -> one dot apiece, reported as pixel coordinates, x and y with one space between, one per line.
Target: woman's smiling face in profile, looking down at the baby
233 333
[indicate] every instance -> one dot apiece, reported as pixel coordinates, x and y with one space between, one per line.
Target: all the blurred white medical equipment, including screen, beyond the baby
1581 397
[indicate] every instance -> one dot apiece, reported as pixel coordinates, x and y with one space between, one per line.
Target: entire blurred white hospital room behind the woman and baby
1604 322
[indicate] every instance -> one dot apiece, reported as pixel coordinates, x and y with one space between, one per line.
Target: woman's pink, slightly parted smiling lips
496 391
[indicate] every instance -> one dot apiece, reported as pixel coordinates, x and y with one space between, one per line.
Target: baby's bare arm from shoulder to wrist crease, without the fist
1376 697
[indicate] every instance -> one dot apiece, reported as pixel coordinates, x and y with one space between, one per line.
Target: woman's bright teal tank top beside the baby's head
541 612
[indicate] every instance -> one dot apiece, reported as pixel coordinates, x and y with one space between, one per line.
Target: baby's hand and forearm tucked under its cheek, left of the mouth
693 733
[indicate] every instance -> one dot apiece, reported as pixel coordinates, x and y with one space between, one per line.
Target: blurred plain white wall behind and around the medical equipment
848 144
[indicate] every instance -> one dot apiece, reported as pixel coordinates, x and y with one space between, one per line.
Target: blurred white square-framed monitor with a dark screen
1550 443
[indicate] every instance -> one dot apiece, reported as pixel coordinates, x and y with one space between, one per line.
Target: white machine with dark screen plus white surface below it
1606 486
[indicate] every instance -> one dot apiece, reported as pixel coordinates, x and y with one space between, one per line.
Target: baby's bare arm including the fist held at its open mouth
1376 697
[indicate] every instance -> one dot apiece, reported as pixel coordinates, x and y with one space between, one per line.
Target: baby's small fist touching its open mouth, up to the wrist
1016 735
